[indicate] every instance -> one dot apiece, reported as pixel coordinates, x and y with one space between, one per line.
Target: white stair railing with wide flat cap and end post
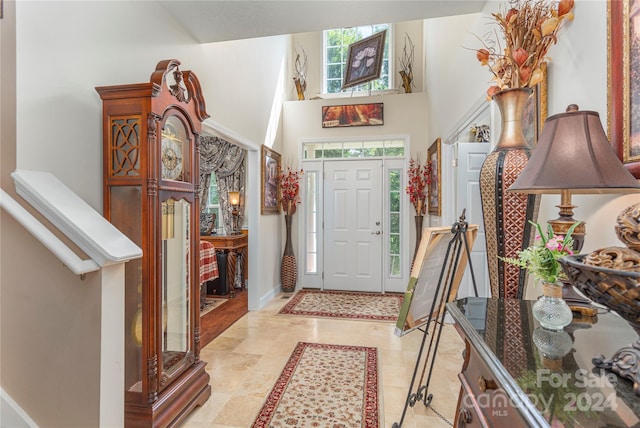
108 249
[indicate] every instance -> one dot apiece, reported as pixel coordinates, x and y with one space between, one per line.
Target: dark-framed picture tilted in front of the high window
364 60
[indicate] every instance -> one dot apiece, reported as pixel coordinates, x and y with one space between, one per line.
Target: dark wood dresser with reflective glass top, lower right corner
516 374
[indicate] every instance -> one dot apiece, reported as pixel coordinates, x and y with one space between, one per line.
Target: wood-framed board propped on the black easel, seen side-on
424 298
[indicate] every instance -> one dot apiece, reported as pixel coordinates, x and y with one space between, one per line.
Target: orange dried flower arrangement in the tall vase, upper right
529 28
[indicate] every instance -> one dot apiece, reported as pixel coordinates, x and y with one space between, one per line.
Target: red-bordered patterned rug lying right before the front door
345 304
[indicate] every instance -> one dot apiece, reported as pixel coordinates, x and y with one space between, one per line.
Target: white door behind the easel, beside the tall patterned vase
470 159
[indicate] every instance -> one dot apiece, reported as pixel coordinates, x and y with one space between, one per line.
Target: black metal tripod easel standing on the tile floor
445 282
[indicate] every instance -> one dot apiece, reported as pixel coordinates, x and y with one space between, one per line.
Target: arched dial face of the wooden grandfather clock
174 147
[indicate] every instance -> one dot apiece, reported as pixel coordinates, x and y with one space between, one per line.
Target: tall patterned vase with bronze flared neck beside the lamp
506 214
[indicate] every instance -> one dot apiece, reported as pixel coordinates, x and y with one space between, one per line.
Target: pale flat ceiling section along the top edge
216 21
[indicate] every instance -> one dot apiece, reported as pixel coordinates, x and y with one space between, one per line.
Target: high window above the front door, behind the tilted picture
336 50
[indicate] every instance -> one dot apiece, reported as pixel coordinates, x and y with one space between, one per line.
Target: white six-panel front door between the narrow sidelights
353 230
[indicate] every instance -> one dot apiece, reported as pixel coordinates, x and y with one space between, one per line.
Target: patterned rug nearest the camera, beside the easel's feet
324 386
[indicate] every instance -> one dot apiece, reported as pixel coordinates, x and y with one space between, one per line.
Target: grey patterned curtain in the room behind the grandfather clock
228 161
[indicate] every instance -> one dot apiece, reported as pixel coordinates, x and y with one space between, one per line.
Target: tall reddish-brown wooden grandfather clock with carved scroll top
150 187
